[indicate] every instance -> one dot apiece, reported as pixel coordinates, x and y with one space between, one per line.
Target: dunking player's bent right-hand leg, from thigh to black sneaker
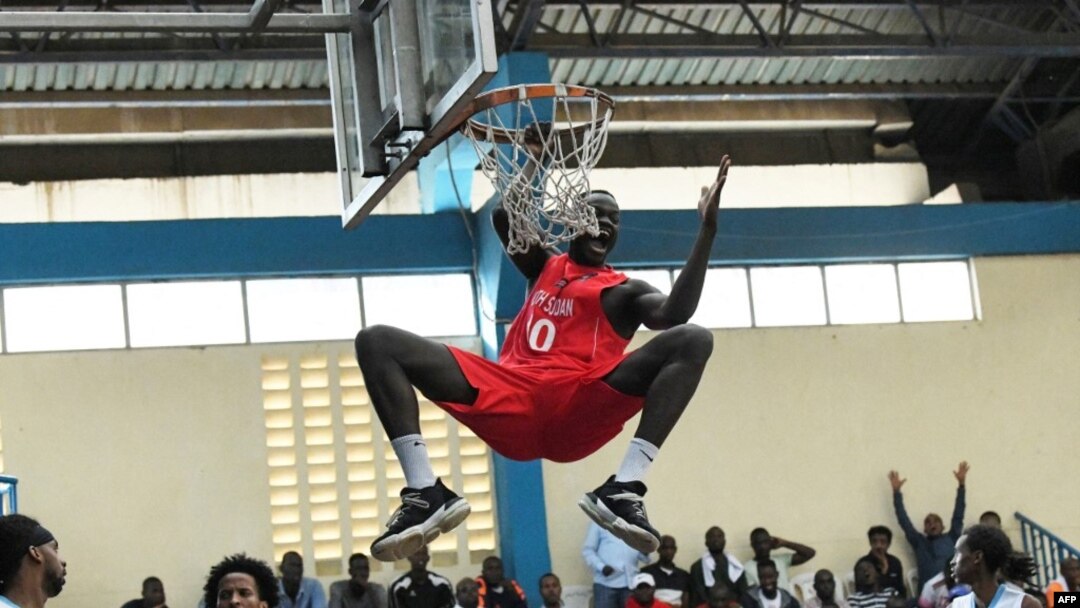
667 372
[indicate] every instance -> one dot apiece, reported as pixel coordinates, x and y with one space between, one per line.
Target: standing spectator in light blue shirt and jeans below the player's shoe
614 564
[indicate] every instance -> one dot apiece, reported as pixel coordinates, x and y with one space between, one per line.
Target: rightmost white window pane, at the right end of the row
938 291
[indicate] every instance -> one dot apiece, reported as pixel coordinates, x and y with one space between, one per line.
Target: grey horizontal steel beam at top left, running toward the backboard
195 23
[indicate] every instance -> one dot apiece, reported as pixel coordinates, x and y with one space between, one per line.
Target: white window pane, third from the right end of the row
788 296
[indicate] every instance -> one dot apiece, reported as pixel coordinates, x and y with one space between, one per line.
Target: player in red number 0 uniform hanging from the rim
563 386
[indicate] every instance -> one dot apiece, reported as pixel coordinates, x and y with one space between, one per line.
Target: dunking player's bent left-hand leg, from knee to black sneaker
393 362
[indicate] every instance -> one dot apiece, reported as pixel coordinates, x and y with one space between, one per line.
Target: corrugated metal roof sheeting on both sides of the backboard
601 73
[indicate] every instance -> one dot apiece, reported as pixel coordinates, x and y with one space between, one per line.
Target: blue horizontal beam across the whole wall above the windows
64 253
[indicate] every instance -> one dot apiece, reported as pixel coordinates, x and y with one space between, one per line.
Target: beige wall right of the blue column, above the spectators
796 429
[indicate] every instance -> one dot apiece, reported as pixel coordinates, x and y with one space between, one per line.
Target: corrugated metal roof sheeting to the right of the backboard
790 71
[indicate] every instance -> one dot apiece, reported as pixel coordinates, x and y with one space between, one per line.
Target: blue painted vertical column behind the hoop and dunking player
519 487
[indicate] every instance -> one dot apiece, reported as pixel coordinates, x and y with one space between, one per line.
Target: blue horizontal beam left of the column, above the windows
61 253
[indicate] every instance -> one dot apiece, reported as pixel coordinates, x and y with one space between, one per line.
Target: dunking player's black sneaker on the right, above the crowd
618 508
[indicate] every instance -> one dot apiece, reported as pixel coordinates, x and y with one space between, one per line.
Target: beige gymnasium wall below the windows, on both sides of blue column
153 462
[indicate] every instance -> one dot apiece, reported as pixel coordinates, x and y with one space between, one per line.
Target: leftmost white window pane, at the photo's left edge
64 318
